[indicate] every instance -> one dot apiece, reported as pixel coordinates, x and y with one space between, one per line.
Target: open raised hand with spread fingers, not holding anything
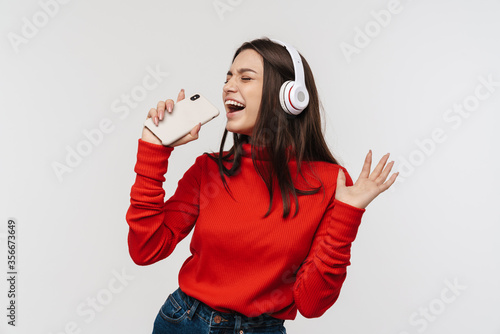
367 187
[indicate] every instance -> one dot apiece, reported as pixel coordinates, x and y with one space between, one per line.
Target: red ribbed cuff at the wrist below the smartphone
152 160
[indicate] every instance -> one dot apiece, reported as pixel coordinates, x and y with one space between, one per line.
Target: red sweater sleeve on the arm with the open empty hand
322 274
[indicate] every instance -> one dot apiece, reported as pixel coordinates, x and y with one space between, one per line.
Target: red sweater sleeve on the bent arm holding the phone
155 226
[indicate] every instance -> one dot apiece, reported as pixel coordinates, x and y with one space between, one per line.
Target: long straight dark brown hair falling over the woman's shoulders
278 131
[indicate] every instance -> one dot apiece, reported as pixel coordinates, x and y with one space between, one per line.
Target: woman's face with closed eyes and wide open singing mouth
242 92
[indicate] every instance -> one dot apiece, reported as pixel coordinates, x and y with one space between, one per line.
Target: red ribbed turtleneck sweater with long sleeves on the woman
240 261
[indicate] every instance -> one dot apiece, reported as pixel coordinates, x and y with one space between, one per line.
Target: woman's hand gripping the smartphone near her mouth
158 114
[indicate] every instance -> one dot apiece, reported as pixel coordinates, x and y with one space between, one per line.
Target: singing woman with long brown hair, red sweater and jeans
274 217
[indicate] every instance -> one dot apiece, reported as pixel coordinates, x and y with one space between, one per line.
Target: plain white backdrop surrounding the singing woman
438 224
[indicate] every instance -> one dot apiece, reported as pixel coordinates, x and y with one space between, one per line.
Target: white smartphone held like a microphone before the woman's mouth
183 118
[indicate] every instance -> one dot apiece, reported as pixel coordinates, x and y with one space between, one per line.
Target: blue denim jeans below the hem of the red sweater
184 314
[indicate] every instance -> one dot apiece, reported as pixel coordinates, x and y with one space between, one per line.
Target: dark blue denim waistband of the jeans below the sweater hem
222 319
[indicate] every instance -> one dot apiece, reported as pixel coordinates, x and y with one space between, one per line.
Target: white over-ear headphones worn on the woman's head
294 97
